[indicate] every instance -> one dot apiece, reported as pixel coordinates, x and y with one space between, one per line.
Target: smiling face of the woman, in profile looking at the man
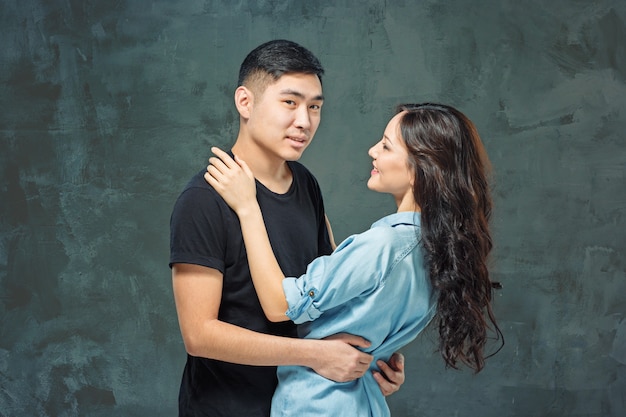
392 173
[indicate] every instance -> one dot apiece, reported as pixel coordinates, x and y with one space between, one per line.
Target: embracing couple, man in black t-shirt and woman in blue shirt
426 261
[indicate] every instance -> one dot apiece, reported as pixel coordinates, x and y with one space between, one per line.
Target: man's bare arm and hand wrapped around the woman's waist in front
197 293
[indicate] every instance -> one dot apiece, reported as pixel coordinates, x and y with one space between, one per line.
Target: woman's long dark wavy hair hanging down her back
451 187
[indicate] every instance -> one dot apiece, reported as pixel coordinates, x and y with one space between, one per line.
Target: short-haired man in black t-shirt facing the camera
232 348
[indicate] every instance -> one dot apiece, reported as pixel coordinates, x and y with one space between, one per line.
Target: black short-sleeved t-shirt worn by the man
205 231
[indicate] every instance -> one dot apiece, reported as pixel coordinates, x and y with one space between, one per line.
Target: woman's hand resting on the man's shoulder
232 179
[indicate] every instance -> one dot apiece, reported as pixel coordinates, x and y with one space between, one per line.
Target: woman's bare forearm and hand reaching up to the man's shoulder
234 181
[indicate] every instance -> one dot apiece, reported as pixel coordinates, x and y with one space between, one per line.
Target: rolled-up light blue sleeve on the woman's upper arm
355 268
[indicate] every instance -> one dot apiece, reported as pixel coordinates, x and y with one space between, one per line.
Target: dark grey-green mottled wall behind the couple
108 107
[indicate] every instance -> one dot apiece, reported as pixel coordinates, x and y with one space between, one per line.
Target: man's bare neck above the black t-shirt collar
268 169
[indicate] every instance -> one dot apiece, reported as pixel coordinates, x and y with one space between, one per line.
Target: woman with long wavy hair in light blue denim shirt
426 261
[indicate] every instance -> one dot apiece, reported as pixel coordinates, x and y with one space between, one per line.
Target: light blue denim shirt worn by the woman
375 285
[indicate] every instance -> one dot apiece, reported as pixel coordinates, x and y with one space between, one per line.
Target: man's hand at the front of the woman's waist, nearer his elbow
340 360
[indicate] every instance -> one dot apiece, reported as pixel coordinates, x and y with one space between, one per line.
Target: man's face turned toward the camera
285 116
